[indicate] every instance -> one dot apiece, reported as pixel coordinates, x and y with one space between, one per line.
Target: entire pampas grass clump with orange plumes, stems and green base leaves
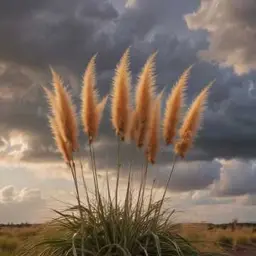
96 226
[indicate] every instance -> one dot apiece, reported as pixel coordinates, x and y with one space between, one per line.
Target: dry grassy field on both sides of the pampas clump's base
241 242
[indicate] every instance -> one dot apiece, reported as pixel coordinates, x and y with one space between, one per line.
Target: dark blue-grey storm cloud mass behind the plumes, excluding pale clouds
66 34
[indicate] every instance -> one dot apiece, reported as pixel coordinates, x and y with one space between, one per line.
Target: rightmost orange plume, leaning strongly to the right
192 123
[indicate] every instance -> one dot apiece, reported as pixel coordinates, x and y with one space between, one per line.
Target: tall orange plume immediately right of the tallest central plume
144 98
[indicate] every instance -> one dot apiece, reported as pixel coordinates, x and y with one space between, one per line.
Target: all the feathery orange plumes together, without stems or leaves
141 124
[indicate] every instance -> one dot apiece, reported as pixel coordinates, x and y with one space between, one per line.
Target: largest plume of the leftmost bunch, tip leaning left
65 115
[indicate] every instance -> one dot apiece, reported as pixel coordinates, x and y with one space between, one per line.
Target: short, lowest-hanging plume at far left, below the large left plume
64 148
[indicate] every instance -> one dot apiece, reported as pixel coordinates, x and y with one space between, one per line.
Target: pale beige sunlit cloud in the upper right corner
231 30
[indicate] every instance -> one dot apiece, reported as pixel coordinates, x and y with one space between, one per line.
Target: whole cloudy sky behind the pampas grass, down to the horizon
217 180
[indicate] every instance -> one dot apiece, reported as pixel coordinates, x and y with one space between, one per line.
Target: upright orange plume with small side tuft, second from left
91 110
